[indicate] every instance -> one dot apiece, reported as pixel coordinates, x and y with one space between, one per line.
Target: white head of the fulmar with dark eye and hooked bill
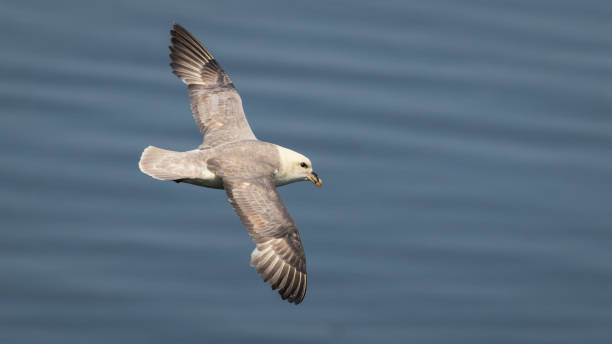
294 167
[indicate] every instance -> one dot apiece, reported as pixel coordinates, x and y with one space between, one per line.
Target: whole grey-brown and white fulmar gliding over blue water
232 158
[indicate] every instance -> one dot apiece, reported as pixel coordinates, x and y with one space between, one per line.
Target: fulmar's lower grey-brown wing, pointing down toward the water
279 256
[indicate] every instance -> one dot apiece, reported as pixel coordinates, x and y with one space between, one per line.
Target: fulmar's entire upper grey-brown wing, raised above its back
215 103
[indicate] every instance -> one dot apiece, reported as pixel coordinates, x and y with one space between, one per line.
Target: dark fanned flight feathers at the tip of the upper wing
192 63
